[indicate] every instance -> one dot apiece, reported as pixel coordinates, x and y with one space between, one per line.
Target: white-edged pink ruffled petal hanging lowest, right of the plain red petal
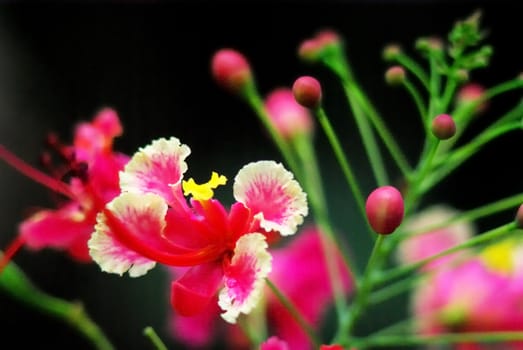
244 276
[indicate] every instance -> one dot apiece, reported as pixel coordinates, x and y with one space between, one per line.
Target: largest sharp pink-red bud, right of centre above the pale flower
385 209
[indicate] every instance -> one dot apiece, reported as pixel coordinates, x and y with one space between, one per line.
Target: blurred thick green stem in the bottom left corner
16 284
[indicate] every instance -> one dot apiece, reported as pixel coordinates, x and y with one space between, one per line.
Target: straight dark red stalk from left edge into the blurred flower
34 174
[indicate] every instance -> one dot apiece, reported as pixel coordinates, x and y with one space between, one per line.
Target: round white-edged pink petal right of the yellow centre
272 195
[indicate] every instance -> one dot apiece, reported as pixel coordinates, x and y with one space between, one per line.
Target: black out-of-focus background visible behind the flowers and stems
60 62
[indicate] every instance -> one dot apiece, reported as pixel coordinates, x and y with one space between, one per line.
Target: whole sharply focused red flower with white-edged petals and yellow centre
151 221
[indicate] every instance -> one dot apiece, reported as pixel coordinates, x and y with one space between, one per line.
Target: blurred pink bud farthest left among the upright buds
231 70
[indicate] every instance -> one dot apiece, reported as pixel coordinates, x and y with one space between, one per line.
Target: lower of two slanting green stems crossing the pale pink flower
472 242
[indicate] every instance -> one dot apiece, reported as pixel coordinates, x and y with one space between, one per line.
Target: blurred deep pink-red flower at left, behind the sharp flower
88 179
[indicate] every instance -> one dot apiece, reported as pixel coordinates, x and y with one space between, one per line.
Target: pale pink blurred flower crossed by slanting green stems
421 245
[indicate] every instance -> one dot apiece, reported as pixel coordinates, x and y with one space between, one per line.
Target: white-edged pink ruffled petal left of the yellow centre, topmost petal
156 168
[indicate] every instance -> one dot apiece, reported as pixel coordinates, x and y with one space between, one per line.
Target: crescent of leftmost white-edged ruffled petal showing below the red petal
114 257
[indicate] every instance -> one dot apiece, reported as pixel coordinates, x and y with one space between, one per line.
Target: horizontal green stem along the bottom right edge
445 338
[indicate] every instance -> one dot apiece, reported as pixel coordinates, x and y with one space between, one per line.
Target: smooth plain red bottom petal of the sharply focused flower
192 293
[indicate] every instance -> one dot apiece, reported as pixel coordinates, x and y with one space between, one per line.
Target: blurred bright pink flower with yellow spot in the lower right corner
472 297
